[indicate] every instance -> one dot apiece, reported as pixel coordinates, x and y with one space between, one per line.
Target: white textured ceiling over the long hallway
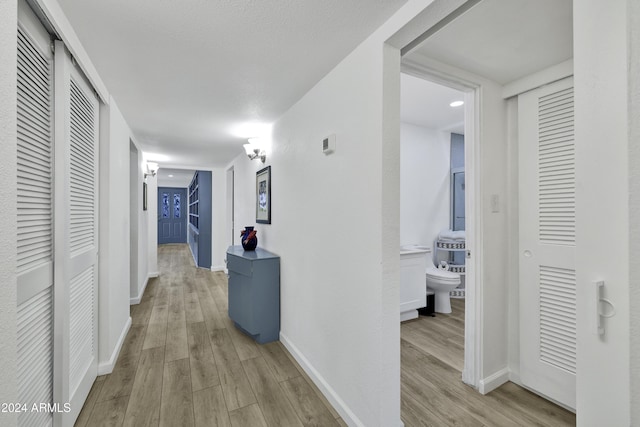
185 73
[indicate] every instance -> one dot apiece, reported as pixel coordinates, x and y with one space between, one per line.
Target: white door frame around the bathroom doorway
473 185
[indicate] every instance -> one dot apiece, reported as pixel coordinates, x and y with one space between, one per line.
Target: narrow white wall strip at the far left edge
8 208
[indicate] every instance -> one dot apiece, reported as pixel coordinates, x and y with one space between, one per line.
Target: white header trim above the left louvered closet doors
65 31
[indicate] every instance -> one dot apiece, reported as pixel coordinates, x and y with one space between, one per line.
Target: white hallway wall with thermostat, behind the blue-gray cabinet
327 228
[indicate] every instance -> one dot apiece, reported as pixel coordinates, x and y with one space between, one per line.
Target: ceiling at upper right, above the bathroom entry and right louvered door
504 40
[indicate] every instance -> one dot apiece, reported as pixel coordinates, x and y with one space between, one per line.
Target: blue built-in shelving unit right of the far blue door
199 233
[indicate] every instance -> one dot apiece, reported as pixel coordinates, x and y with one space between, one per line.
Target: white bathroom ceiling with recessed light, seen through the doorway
426 104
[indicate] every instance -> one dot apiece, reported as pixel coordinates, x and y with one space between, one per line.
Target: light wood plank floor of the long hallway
185 364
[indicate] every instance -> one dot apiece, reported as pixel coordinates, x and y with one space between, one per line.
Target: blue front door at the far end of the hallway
172 218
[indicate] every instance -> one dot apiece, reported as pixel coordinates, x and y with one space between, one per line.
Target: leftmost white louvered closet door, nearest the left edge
35 219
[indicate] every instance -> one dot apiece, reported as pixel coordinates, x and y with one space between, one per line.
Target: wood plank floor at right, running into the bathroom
433 394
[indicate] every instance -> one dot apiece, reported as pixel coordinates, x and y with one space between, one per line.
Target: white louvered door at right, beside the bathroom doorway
547 241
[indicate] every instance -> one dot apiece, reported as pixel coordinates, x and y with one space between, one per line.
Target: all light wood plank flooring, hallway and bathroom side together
185 364
